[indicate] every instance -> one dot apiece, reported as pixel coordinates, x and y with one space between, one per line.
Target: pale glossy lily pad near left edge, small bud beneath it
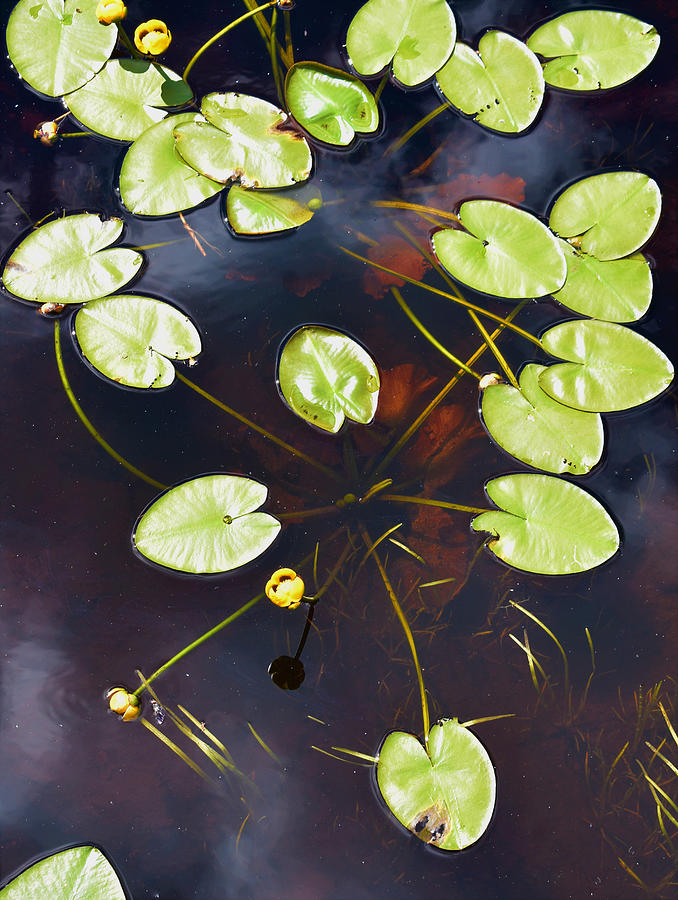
64 261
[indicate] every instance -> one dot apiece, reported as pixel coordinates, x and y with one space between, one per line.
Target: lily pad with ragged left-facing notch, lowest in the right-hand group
546 525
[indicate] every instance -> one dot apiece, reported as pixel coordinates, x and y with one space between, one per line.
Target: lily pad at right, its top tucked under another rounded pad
616 290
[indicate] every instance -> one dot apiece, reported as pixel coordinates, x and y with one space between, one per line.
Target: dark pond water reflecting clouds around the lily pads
79 611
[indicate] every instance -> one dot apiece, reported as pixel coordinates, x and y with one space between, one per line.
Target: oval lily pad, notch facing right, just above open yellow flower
206 525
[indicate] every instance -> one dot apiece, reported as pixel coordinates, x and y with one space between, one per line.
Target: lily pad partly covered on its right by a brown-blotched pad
154 180
